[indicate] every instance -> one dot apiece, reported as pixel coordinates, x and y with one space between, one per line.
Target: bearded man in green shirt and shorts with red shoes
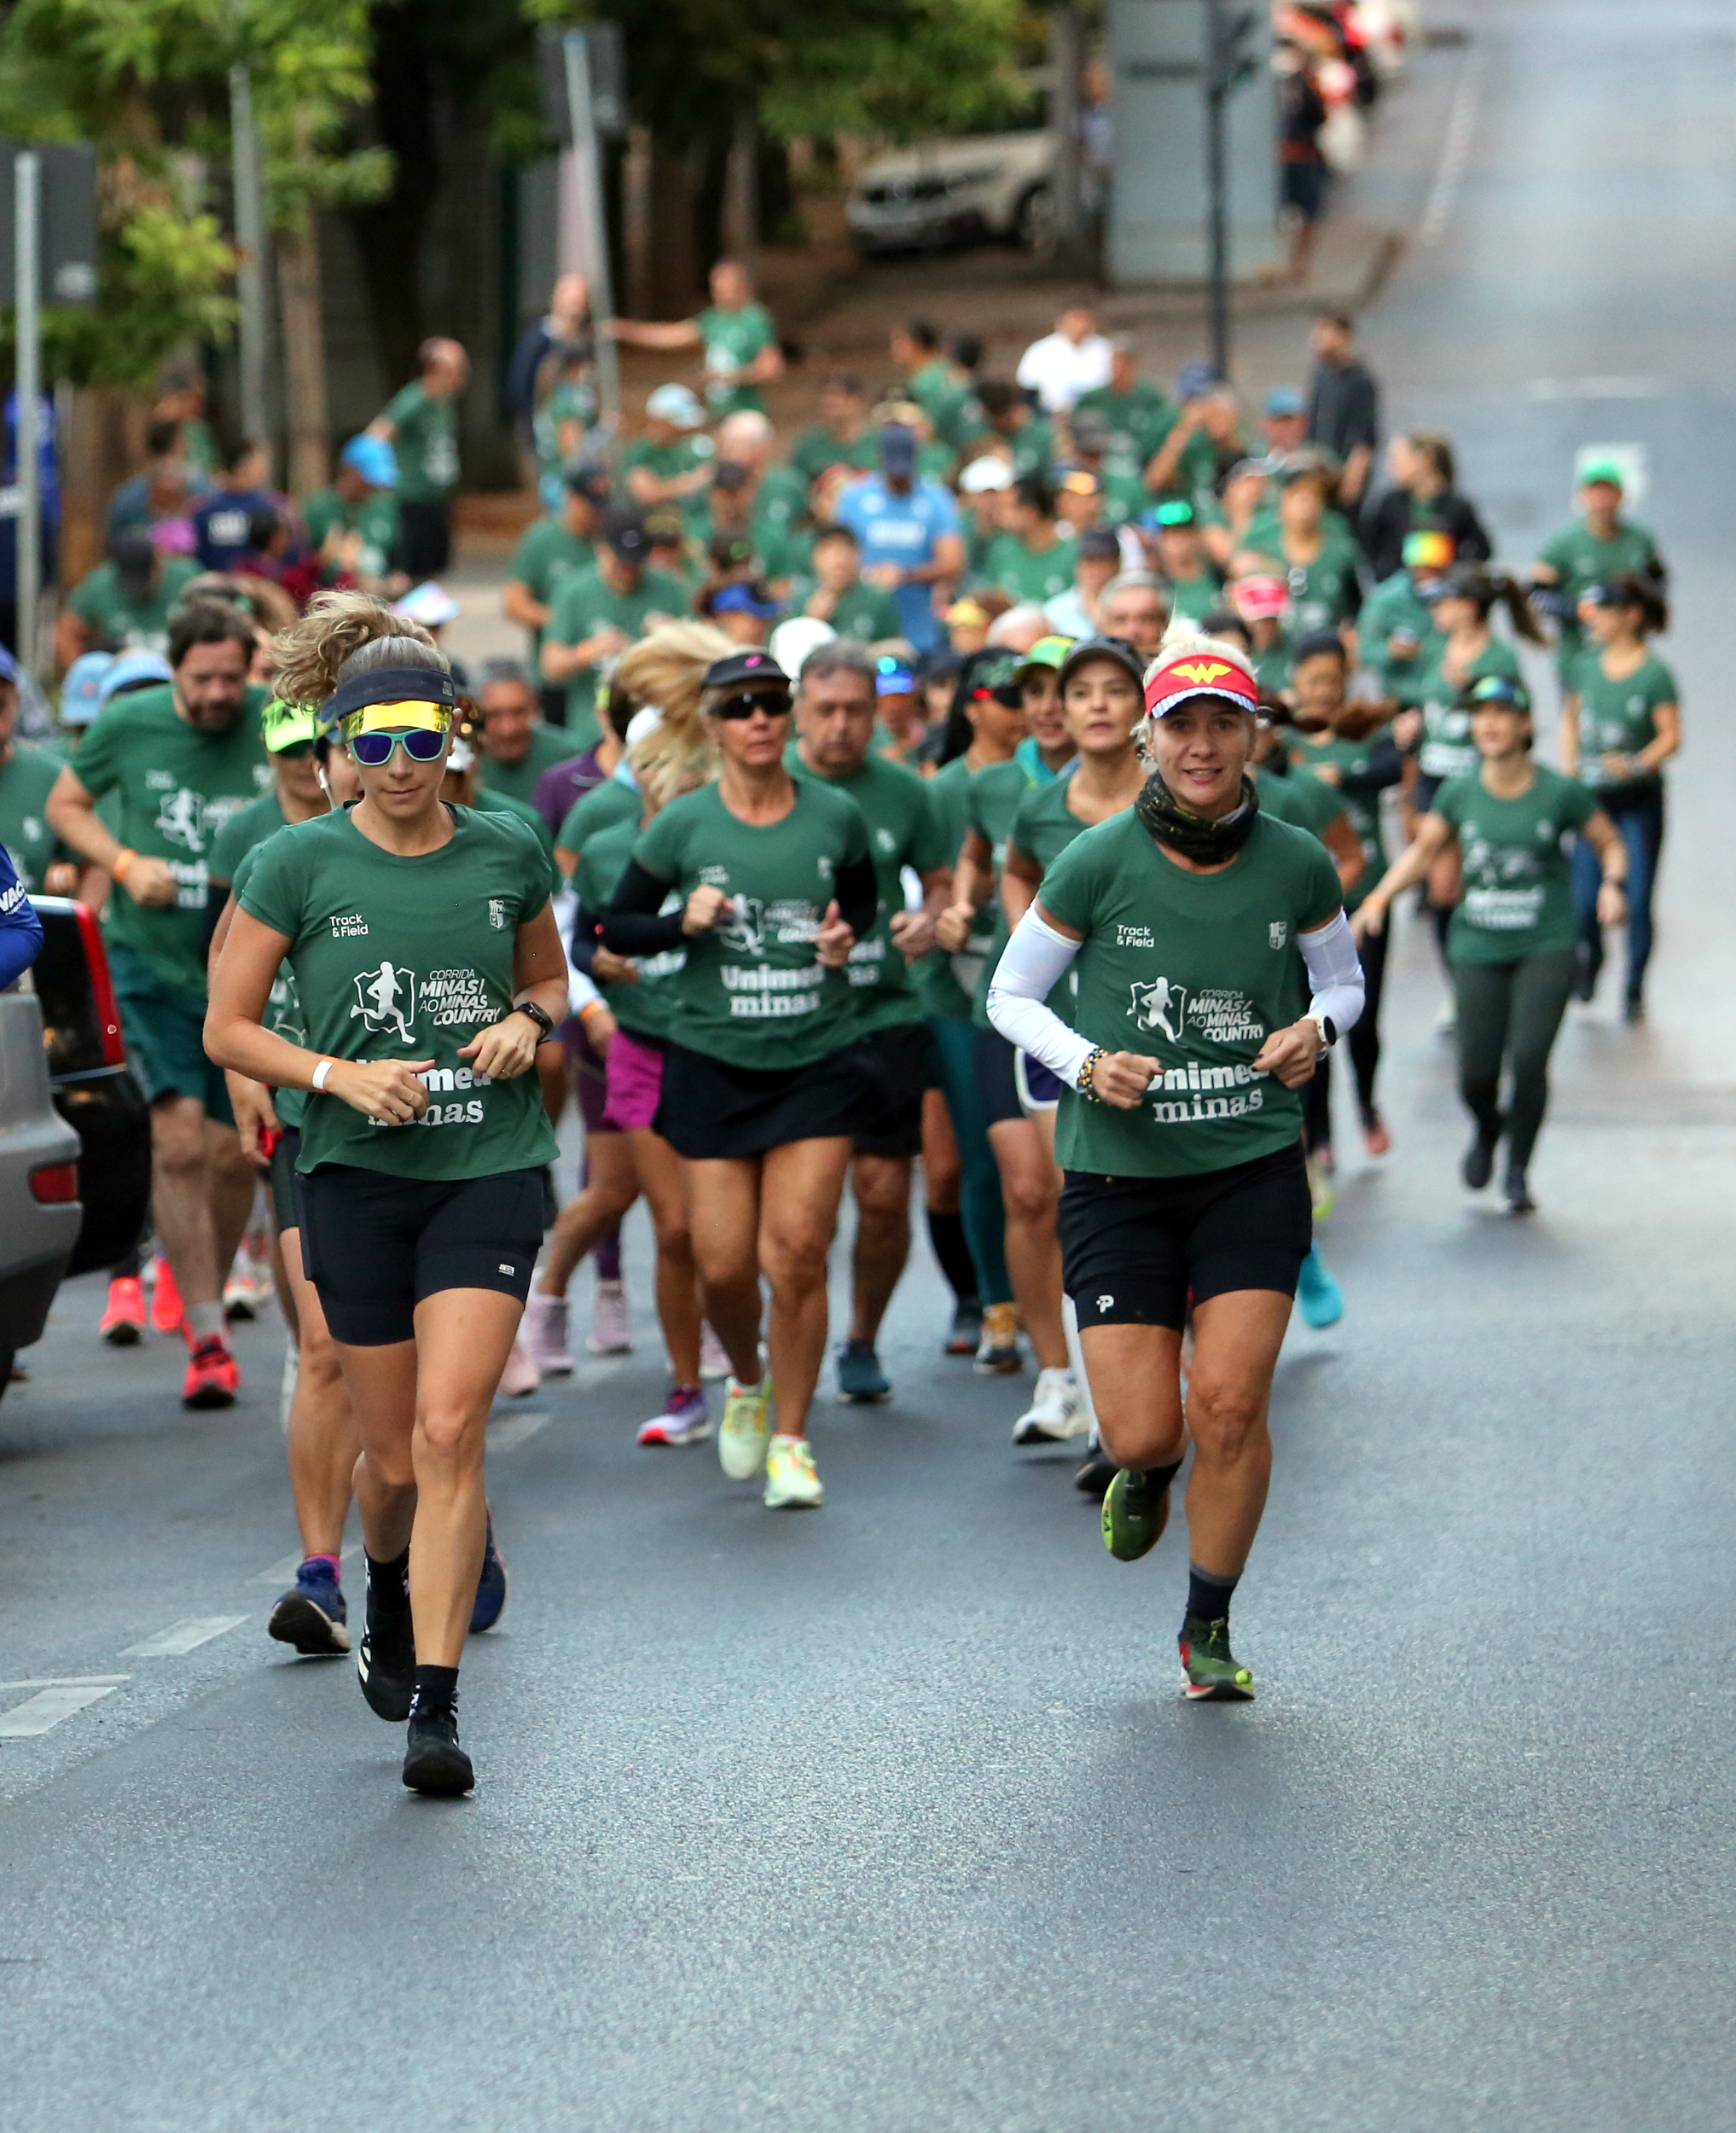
180 760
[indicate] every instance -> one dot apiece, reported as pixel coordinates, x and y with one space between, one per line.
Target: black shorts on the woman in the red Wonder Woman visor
1138 1251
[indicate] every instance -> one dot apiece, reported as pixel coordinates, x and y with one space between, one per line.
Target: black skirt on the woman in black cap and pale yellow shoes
711 1110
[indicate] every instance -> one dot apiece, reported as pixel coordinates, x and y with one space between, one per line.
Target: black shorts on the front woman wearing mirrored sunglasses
376 1245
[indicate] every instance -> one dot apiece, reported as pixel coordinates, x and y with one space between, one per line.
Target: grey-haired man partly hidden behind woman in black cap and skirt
835 750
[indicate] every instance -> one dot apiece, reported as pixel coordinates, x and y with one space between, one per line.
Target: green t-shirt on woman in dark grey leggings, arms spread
1515 880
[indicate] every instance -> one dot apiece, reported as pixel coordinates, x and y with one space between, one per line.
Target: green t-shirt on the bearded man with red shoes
178 790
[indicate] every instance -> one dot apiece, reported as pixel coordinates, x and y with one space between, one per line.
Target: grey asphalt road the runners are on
888 1821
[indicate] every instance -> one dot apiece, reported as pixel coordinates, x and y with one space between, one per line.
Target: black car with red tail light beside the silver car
93 1085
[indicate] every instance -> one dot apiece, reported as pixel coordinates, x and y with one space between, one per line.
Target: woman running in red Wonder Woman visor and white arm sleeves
1180 1068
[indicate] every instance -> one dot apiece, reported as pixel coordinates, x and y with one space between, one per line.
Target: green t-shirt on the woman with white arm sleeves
1193 972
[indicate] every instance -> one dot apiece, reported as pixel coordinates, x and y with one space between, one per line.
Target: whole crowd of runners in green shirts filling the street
1001 795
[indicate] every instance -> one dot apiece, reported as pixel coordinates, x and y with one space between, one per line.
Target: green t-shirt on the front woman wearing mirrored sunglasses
411 959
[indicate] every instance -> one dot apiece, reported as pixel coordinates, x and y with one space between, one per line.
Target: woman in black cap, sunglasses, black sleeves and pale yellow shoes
765 1087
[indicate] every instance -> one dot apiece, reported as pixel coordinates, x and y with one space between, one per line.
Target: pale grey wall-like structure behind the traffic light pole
1157 212
